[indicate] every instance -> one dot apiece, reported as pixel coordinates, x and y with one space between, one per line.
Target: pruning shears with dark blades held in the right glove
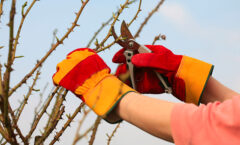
132 48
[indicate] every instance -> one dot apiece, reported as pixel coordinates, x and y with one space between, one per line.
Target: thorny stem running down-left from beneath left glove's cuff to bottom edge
70 118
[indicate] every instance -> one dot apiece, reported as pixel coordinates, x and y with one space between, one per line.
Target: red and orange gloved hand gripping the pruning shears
187 76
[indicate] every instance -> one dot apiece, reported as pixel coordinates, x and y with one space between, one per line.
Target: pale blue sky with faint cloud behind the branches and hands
207 30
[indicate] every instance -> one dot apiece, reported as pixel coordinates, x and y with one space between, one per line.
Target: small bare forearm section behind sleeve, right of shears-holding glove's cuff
215 91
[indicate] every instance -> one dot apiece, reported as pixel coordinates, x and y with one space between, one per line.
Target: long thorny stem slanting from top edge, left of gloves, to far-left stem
39 63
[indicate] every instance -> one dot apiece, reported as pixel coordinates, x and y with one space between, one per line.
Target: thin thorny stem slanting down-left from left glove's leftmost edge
35 123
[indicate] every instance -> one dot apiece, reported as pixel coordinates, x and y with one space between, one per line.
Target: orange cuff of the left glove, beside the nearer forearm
105 95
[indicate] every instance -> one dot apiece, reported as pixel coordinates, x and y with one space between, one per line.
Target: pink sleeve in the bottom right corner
212 124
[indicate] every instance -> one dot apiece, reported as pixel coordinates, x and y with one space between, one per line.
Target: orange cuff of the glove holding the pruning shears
195 74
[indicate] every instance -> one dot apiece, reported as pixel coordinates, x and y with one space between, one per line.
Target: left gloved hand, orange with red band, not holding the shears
85 74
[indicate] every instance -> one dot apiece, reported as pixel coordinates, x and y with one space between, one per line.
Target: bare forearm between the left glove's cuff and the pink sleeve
150 114
